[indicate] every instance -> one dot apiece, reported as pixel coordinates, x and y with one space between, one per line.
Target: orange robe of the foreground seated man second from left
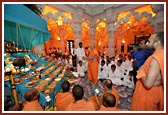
62 100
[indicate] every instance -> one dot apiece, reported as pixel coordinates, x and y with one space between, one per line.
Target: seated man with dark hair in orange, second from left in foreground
64 98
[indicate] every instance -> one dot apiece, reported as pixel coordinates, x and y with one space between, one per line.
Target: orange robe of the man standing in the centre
93 67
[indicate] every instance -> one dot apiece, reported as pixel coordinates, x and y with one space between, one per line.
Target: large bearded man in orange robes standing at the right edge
149 90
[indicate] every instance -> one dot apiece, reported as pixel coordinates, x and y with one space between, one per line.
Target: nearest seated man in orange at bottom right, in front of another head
109 103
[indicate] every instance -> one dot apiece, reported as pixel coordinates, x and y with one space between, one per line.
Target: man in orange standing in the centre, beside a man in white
93 64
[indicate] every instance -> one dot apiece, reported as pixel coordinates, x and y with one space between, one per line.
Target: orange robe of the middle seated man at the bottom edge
80 105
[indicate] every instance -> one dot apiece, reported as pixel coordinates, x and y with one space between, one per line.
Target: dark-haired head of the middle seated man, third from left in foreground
78 92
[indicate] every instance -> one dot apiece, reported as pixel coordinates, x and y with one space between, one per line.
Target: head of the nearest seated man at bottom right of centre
109 100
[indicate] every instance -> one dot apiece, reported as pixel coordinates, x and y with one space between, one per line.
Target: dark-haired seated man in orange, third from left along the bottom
79 104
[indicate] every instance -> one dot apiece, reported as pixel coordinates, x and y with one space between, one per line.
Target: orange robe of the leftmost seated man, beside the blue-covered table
32 106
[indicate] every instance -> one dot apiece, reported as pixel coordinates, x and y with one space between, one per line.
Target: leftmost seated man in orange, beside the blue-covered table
31 96
